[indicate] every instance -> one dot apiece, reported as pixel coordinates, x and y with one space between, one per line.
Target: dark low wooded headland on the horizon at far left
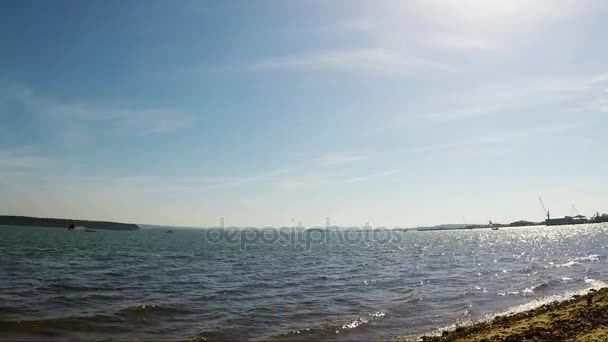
27 221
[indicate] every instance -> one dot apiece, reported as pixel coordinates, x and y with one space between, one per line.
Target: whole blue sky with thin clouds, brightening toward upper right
400 113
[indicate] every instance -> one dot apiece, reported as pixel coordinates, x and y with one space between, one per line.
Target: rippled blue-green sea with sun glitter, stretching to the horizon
242 285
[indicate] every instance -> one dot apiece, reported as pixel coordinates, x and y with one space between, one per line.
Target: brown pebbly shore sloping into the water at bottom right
582 318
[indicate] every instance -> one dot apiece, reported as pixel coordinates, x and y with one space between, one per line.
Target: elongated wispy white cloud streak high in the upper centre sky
377 60
